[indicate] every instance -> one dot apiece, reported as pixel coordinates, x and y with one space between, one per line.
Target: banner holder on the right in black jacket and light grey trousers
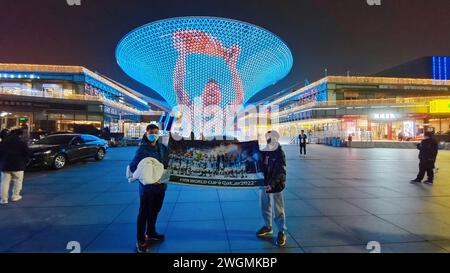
274 169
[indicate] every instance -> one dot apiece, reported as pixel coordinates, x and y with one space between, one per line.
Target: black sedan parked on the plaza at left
57 150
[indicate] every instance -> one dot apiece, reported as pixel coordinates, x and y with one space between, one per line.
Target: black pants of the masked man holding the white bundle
152 197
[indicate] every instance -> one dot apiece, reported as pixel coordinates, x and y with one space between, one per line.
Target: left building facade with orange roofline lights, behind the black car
50 98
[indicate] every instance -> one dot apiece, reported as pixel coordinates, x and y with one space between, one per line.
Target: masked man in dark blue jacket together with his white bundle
147 169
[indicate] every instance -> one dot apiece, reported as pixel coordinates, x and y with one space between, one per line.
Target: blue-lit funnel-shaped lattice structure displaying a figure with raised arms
217 61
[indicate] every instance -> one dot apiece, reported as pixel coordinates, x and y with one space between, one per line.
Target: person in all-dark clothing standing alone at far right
428 152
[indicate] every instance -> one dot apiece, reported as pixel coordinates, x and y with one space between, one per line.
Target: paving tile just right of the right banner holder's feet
320 231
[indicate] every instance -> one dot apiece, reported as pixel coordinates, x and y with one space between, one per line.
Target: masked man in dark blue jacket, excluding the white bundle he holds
151 195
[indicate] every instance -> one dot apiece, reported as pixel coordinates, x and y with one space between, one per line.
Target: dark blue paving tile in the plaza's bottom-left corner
11 236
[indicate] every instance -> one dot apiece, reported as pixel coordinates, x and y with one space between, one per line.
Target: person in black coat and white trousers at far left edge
14 155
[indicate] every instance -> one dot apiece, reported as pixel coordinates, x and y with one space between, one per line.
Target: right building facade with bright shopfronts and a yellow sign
368 108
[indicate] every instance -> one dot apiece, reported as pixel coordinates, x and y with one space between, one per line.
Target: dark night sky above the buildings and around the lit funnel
339 35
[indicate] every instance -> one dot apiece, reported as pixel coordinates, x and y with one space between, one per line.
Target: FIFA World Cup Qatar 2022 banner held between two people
220 163
